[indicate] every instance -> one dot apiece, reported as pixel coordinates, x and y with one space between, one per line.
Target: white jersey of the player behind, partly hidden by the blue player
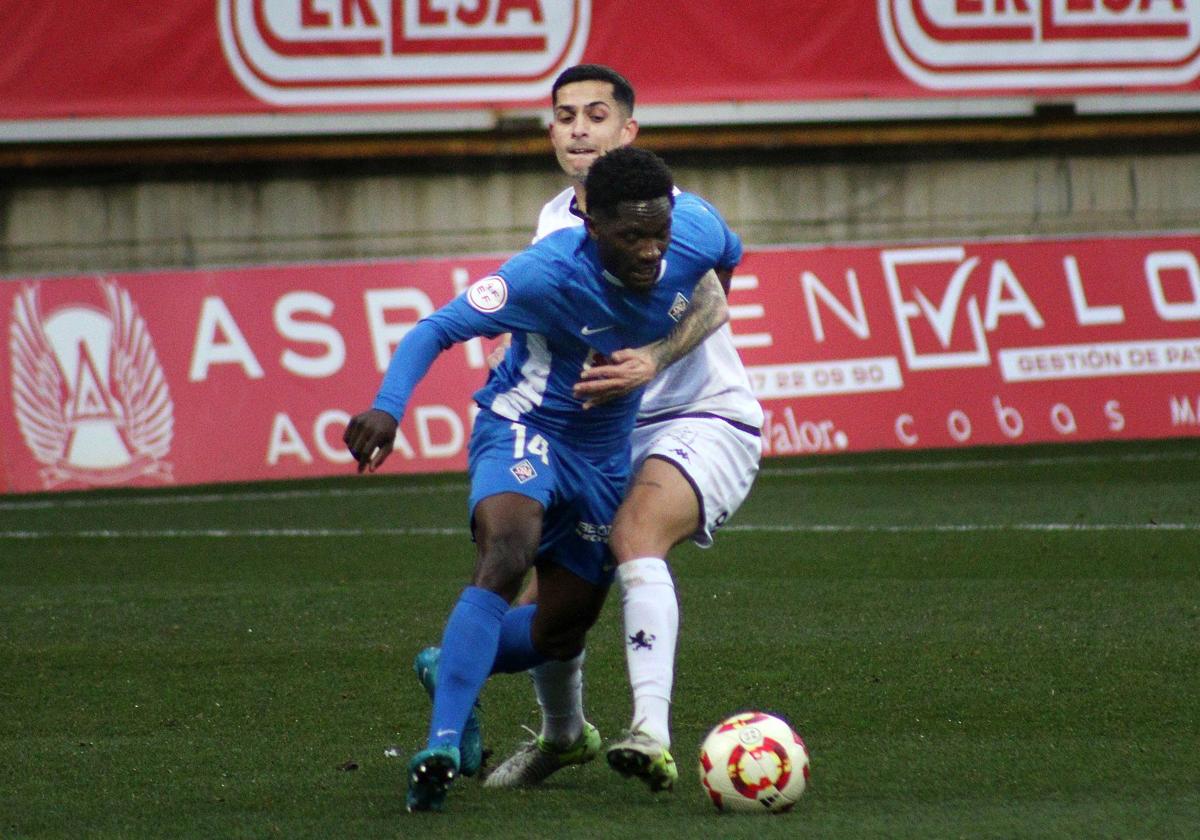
711 380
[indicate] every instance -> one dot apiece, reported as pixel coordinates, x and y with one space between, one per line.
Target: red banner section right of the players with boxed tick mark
969 344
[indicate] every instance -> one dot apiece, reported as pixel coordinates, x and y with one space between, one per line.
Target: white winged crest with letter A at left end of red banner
89 394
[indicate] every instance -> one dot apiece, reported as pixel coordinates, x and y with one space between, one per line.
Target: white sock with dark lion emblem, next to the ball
652 627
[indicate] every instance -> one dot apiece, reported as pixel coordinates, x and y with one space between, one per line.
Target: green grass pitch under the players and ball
986 644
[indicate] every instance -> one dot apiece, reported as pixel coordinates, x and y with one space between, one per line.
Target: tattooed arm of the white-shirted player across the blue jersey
634 368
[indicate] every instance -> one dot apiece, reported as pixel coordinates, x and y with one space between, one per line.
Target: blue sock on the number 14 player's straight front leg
469 650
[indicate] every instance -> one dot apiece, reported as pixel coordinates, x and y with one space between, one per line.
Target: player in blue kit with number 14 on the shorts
549 471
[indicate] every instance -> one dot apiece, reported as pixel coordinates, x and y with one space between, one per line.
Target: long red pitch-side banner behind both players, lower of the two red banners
194 377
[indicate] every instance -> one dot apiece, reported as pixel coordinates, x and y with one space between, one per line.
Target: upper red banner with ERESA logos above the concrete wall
465 63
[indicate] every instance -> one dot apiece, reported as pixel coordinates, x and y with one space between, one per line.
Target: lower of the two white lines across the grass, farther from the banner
355 533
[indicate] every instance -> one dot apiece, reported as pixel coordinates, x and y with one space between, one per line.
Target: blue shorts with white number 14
579 496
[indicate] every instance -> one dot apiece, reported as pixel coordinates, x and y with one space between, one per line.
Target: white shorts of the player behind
719 460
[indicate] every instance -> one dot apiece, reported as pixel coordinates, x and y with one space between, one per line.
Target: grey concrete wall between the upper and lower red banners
70 221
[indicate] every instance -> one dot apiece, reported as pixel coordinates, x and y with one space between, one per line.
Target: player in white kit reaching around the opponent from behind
695 454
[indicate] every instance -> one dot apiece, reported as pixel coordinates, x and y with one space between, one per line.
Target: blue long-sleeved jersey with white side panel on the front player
562 310
